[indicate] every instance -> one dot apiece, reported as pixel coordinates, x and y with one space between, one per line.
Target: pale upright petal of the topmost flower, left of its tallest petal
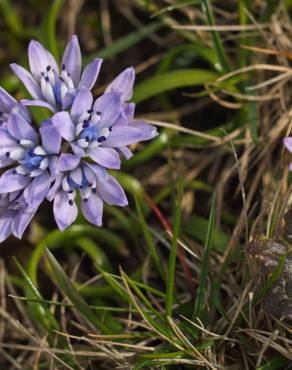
40 59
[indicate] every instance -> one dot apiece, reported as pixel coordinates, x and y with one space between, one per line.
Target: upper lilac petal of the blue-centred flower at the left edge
19 128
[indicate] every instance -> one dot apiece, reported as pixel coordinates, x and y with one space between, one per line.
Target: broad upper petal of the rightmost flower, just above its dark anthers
109 107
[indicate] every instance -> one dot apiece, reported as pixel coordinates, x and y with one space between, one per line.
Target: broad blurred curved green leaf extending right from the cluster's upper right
170 81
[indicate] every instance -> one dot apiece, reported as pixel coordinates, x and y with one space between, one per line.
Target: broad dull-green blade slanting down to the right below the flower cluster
65 284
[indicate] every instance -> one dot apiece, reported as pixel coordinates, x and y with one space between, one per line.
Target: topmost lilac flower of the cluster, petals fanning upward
53 88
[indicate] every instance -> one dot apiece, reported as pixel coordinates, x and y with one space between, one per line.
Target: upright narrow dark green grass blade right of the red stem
200 297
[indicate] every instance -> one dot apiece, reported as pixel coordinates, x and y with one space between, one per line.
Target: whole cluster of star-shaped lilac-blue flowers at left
68 156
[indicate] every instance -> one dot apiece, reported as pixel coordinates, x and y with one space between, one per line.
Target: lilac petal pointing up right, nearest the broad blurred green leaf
123 84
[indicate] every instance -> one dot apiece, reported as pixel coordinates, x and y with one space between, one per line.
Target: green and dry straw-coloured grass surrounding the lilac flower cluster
197 271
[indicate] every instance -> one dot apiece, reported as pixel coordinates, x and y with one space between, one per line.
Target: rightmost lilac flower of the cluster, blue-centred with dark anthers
103 128
